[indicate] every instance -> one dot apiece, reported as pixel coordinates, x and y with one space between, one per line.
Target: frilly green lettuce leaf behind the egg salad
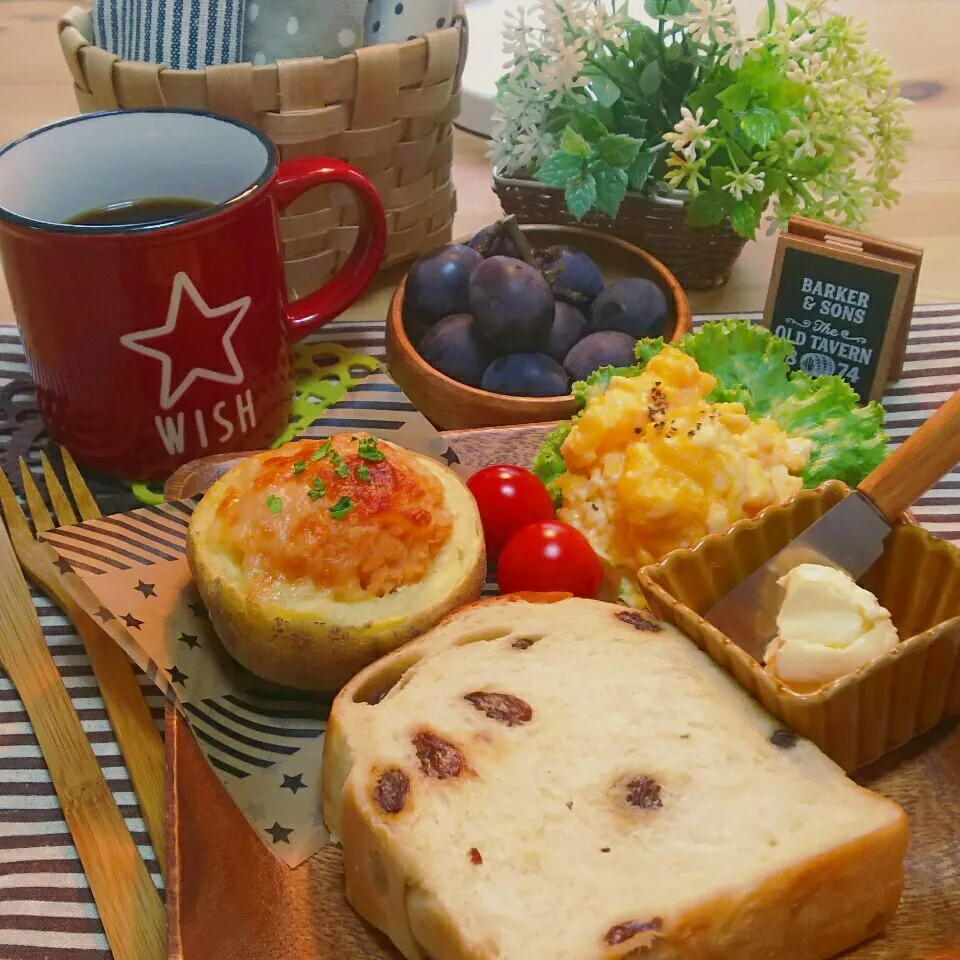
751 368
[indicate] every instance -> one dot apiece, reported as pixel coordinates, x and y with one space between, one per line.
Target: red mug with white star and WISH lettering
153 343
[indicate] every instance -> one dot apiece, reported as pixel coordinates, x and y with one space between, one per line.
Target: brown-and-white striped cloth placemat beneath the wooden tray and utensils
46 910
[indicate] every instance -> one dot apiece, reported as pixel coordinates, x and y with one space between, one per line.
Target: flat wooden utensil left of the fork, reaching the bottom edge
128 902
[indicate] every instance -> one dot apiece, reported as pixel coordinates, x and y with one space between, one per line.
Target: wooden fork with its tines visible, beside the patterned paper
133 726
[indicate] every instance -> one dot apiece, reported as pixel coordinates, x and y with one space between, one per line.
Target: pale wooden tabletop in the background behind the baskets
919 36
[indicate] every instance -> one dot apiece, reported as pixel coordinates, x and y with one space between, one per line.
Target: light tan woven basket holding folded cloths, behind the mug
387 109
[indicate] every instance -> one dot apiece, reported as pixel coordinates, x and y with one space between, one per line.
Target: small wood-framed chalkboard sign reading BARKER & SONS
843 304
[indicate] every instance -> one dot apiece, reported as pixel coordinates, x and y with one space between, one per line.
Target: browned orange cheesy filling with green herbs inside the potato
386 535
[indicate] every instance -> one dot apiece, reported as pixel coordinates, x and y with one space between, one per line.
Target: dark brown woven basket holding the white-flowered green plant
700 258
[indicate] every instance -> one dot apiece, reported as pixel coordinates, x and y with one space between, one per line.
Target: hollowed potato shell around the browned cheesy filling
311 654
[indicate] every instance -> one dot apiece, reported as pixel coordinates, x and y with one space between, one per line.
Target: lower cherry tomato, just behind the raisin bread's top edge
550 556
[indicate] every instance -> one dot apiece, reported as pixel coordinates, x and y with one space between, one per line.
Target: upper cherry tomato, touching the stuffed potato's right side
509 498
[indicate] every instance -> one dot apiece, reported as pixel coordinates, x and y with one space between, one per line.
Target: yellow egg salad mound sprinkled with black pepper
653 466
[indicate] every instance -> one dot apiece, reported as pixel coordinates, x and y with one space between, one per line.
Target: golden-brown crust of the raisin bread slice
791 914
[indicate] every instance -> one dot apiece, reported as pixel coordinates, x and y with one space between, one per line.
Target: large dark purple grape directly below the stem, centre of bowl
512 304
